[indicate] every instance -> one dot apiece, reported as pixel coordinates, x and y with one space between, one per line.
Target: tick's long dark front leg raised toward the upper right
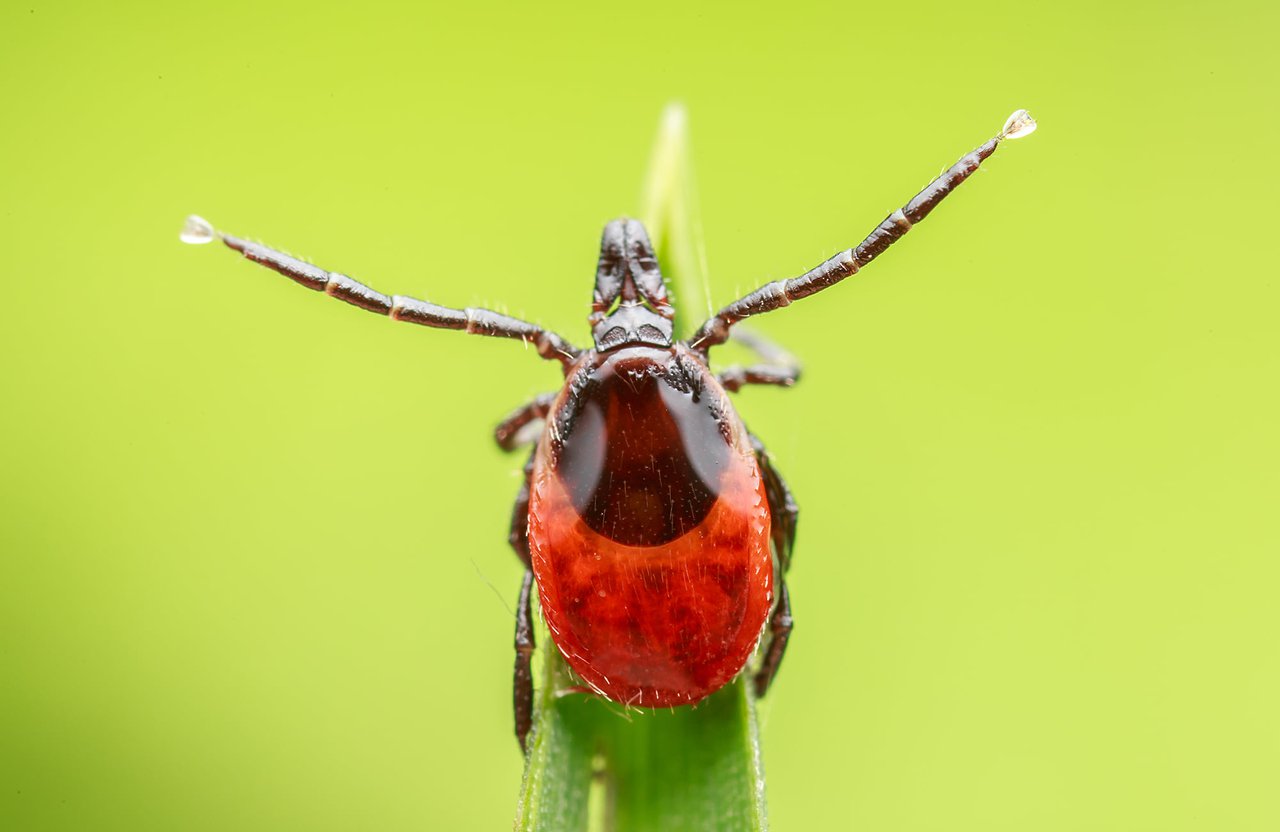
783 292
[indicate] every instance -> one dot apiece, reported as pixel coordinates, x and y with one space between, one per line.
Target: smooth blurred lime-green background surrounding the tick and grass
254 566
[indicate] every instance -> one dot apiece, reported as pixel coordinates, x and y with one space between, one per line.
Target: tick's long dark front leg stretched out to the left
478 322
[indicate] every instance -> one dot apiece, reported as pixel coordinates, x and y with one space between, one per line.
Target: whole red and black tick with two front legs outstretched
655 525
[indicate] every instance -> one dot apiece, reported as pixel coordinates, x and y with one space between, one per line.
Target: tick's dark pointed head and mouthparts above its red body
630 304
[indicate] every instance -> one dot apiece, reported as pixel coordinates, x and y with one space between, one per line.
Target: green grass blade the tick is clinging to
595 765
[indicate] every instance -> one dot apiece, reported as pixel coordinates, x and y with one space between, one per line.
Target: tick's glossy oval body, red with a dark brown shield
650 531
